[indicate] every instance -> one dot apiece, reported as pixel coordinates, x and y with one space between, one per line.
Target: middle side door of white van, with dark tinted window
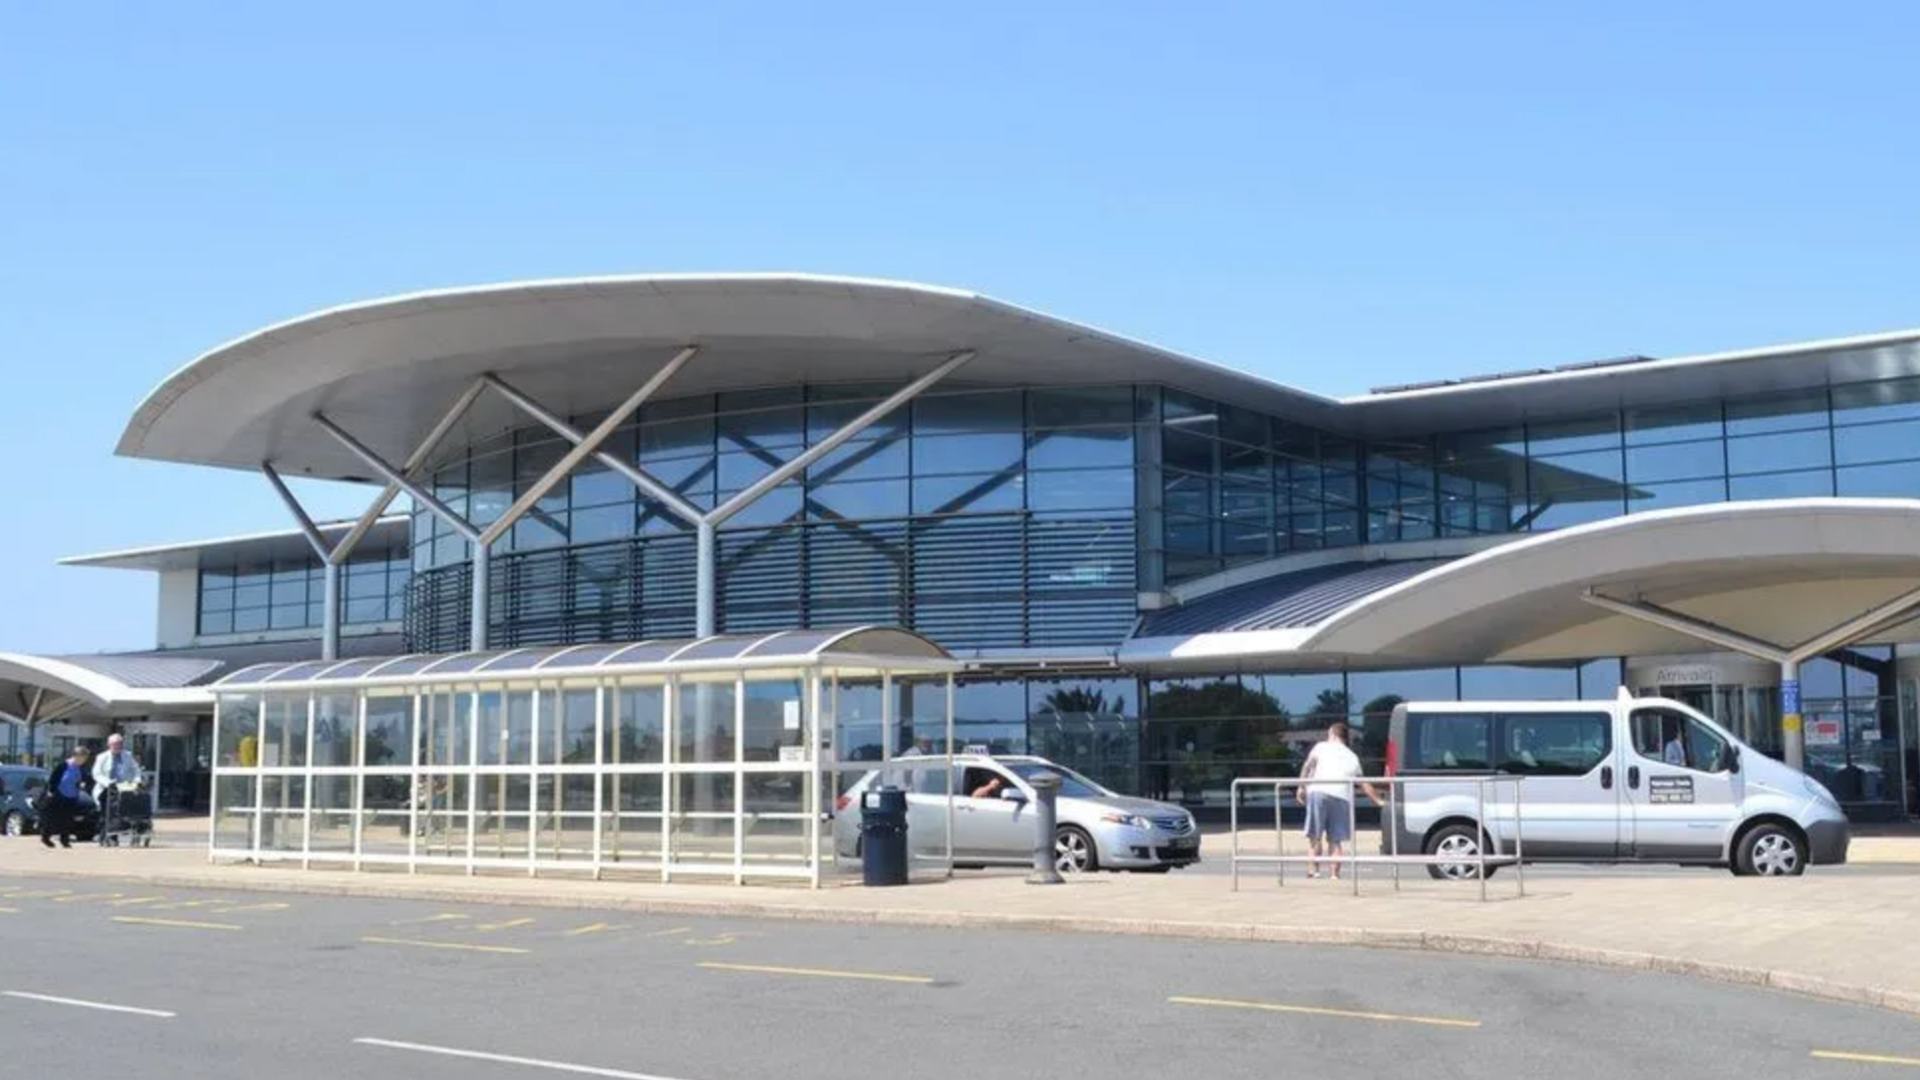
1570 783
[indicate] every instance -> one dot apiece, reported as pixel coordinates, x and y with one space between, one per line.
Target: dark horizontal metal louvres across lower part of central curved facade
967 581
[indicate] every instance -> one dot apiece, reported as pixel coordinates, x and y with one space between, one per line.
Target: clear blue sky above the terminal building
1335 197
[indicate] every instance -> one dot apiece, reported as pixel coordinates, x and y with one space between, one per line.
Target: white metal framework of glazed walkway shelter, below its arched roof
435 693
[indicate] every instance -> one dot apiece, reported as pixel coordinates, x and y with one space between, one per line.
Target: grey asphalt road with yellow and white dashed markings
297 987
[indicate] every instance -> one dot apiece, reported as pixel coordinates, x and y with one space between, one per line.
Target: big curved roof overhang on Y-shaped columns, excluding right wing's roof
389 368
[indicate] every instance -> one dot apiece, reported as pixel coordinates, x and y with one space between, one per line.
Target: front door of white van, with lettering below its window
1679 787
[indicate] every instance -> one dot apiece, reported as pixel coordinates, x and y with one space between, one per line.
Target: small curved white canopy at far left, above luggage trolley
101 687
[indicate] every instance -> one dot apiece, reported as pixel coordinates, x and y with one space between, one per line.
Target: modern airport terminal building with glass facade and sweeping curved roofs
1161 572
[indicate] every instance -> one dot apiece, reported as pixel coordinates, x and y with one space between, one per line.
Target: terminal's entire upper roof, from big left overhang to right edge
389 370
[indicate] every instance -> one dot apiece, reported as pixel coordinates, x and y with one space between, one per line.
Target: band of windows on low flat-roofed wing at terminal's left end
251 595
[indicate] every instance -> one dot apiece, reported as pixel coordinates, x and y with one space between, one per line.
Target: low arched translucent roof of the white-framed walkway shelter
878 649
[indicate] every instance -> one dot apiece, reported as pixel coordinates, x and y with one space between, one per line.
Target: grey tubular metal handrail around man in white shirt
1489 847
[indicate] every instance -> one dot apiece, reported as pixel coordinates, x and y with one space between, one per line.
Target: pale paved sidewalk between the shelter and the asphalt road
1840 937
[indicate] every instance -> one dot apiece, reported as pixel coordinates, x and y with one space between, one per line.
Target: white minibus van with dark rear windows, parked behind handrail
1625 781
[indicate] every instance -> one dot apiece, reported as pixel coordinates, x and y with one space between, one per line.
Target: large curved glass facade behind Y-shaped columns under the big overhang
978 518
